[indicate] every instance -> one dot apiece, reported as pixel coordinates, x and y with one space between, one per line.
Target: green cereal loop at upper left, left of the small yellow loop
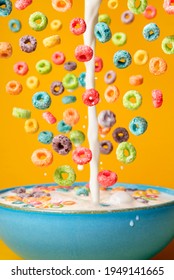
38 26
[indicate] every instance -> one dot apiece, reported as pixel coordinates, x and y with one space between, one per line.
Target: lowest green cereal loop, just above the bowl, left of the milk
58 178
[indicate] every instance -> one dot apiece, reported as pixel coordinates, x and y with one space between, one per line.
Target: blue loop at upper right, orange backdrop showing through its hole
151 32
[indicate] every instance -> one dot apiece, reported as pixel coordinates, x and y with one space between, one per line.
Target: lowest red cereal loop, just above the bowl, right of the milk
107 178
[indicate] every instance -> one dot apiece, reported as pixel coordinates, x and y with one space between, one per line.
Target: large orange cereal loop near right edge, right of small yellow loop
157 66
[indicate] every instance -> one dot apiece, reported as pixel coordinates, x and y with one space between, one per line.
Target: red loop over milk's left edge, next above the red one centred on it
83 53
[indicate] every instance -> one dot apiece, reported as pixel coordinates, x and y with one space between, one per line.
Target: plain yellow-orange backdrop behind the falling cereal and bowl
155 154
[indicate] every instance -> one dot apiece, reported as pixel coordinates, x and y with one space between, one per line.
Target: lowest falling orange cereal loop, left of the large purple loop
42 157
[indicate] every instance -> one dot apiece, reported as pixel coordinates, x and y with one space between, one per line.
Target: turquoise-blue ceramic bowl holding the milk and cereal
92 235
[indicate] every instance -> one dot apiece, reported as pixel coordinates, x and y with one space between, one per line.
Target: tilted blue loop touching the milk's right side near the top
102 32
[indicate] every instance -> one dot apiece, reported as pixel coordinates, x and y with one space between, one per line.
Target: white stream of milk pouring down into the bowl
91 18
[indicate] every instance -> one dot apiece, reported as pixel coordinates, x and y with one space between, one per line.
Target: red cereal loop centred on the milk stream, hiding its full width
90 97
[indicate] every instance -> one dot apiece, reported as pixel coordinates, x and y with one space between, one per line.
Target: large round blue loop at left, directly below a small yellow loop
41 100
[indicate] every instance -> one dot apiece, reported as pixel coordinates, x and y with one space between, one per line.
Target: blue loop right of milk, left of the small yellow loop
122 59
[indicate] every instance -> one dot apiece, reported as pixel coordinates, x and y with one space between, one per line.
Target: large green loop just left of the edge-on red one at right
128 104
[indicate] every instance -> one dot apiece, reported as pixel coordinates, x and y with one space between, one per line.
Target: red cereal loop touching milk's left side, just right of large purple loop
82 155
